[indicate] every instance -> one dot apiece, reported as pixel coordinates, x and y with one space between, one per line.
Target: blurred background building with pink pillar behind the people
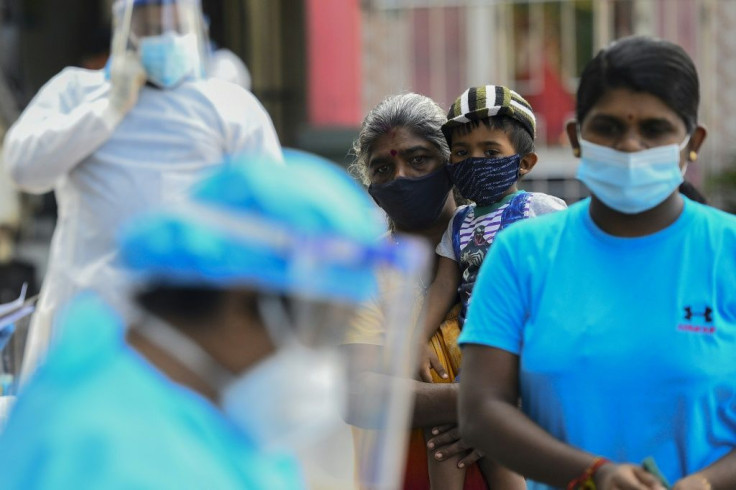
319 65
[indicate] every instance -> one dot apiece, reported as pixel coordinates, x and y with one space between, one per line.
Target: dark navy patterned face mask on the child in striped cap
484 180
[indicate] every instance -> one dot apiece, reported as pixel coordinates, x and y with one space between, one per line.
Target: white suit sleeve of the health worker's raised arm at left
55 133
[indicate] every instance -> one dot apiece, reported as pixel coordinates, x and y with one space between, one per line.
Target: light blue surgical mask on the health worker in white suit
169 58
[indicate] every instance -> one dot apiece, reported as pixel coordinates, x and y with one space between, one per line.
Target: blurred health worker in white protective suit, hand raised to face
113 143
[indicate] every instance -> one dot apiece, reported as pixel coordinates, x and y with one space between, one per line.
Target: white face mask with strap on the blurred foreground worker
288 400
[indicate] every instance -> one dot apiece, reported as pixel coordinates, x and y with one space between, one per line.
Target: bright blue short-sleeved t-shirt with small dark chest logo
627 346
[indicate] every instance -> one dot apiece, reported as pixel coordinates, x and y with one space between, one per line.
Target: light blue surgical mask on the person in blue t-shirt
630 182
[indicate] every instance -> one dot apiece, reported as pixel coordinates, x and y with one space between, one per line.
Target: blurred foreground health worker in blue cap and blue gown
234 365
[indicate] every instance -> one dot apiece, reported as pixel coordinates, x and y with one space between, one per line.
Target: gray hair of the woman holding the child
417 113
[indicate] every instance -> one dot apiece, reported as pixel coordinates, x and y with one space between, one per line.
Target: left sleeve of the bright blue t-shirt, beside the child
499 304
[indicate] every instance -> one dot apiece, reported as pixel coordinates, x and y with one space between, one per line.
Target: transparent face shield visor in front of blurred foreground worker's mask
376 345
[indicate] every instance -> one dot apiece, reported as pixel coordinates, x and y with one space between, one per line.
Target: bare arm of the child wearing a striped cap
441 296
